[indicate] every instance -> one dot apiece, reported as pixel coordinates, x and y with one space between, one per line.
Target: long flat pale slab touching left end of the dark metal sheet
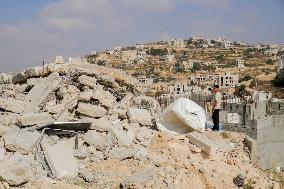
29 119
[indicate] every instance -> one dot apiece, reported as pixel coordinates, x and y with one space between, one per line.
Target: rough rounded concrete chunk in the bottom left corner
16 170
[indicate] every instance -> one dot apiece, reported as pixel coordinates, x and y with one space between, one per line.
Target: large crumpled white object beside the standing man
182 116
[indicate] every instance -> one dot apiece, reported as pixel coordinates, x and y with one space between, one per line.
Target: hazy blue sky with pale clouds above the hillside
33 30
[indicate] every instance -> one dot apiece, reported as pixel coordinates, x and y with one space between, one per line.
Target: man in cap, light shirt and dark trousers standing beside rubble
216 105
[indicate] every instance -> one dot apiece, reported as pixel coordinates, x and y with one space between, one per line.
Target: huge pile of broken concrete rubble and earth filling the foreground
84 126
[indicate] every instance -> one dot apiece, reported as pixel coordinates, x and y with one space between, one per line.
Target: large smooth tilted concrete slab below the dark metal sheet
61 160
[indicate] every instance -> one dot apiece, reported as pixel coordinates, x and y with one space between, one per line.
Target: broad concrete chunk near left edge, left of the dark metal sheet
20 140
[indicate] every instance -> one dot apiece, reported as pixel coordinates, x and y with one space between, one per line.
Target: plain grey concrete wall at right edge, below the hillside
270 141
